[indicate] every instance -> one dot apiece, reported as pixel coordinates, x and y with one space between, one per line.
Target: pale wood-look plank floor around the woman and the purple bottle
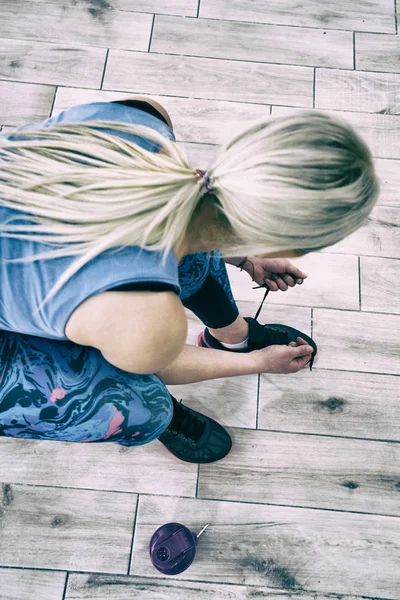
308 502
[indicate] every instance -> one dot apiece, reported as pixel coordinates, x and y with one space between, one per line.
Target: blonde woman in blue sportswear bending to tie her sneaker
108 232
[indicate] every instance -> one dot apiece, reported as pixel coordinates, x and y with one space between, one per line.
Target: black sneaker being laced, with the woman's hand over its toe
261 336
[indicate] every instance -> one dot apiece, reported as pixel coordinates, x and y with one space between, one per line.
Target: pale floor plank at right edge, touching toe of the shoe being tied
357 341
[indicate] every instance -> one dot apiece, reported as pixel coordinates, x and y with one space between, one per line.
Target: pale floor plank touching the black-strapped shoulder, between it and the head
207 121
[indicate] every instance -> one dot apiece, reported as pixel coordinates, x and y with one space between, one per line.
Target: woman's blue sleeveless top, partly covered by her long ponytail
23 286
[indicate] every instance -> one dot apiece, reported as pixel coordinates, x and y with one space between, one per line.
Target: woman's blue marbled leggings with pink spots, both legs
58 390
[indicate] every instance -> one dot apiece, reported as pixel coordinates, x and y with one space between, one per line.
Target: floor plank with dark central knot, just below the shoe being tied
358 405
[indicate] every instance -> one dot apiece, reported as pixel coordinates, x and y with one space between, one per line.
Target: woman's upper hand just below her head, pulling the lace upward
276 273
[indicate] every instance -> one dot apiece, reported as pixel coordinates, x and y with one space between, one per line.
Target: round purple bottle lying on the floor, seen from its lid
173 548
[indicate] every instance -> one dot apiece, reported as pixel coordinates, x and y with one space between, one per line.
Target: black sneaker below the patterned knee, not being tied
193 437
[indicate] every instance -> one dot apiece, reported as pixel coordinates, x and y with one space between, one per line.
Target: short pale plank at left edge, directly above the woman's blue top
23 102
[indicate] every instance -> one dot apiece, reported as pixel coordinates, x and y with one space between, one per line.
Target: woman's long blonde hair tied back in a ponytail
301 182
